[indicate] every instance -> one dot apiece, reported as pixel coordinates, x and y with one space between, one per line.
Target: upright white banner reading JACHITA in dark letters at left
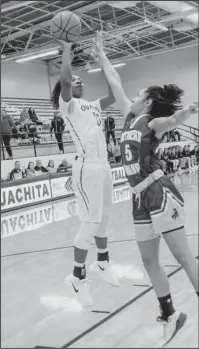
25 194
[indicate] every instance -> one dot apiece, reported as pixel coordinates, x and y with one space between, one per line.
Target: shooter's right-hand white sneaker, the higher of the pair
104 270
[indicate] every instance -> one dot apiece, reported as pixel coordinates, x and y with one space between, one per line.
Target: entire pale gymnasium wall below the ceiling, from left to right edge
30 80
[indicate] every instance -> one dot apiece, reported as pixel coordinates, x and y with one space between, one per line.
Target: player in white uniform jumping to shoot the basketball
92 177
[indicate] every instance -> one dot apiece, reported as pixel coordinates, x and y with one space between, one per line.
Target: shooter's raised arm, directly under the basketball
66 72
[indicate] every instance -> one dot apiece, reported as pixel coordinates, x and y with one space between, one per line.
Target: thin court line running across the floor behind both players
70 246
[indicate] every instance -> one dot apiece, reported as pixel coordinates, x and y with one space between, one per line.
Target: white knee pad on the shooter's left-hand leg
85 234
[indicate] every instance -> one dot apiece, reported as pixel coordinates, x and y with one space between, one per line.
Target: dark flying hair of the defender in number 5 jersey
165 101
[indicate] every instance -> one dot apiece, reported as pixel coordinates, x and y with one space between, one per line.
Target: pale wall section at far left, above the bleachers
24 80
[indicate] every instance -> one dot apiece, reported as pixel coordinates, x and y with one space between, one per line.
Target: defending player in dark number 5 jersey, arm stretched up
157 204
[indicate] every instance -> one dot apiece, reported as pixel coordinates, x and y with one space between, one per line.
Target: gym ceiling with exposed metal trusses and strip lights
131 29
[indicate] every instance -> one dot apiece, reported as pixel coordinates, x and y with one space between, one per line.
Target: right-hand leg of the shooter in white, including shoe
102 265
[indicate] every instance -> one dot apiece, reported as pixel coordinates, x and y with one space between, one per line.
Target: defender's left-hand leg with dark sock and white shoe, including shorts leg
147 234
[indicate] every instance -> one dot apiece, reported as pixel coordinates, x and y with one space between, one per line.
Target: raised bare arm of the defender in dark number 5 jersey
112 77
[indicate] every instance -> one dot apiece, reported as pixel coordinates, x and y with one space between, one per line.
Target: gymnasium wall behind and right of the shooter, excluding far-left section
179 67
